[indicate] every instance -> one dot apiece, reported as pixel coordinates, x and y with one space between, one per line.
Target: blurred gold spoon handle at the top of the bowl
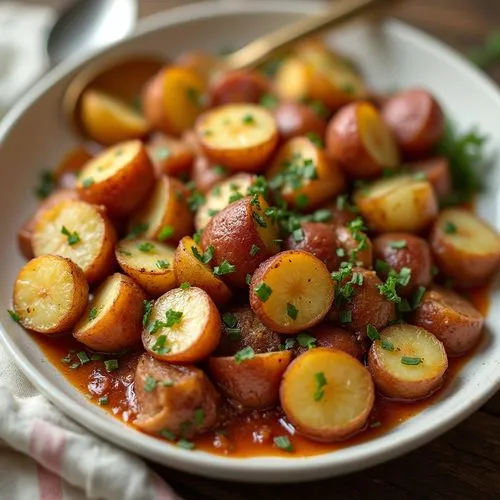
342 11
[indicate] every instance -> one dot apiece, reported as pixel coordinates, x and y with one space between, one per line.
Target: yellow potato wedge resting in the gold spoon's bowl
107 120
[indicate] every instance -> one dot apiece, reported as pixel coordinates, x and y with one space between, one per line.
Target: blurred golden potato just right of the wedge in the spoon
173 99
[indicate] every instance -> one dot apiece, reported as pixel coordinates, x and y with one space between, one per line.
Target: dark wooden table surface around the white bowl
465 462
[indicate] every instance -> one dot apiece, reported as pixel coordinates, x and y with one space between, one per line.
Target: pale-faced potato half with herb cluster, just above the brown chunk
183 326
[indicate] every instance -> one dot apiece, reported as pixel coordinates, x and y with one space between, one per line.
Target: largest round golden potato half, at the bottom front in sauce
327 394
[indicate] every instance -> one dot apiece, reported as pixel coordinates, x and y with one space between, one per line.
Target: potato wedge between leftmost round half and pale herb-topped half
113 318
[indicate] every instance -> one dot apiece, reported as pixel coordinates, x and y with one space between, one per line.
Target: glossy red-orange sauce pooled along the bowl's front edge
247 435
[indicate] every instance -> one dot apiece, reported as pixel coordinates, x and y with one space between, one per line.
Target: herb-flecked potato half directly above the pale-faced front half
149 263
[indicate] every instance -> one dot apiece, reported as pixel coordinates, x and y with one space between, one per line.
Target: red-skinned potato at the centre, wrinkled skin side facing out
242 236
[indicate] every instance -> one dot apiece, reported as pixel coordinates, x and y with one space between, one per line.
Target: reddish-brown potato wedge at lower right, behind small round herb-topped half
451 318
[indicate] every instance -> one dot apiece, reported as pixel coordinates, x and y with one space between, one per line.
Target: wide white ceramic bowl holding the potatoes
34 136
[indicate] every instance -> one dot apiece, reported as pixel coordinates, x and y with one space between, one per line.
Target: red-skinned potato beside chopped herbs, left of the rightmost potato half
416 256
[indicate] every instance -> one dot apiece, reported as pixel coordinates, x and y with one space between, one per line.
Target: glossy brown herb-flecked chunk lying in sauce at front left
175 401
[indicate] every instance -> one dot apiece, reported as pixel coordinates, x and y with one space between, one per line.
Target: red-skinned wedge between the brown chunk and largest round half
252 383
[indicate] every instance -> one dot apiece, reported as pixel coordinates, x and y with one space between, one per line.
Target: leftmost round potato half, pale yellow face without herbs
50 294
